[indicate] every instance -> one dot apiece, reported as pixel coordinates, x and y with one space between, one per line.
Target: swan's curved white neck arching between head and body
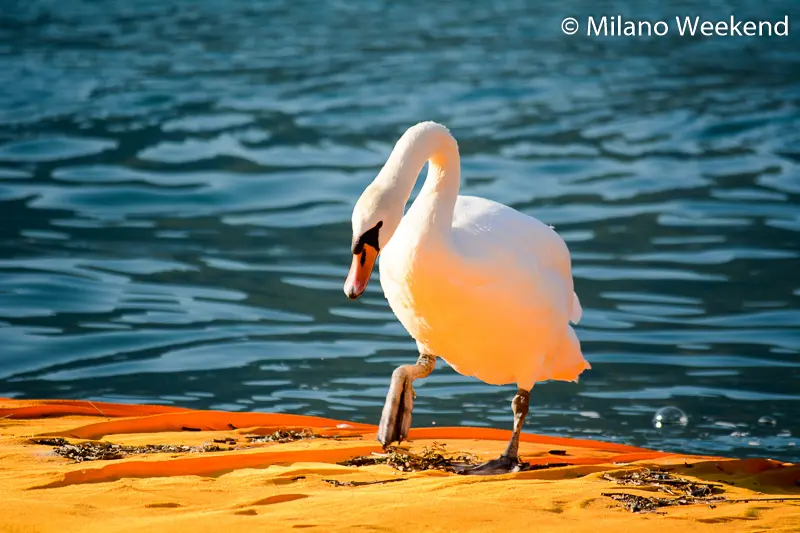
432 143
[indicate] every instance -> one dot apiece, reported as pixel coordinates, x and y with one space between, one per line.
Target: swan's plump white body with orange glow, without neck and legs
494 298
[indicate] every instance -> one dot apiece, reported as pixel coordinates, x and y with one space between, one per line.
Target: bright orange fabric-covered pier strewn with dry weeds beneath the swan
574 485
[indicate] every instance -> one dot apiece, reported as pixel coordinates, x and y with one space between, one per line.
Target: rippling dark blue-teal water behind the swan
176 180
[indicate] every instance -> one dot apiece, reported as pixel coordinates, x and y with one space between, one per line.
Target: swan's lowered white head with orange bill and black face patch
375 218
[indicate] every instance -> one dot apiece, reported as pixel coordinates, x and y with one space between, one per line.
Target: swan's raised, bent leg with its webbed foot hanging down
396 417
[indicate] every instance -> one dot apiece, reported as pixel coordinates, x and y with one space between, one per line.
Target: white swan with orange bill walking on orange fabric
474 282
